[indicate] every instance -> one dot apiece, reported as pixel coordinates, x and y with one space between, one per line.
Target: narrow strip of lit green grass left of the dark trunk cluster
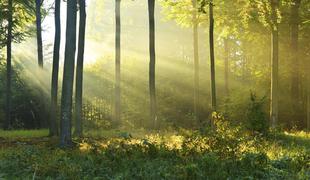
13 134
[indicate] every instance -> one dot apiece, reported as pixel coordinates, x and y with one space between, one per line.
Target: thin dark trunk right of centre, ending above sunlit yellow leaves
212 60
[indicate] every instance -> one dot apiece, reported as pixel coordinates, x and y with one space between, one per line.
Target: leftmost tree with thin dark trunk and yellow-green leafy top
14 20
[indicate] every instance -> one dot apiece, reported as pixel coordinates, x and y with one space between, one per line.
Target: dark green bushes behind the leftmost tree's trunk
26 103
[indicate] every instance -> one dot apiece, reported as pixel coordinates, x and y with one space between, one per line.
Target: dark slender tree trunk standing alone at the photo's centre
151 9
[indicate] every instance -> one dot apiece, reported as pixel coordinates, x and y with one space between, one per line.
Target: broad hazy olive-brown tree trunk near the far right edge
295 63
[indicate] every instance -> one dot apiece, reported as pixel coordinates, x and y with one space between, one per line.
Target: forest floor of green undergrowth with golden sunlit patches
183 154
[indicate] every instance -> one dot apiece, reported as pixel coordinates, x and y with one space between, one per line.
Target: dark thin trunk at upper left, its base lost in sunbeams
39 33
